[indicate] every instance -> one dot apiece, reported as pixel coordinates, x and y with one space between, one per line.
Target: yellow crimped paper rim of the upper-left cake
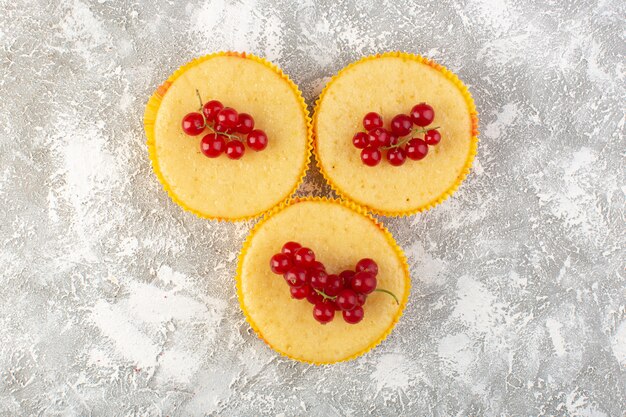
152 109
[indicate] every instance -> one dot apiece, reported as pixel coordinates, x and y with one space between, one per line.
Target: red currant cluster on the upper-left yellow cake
226 126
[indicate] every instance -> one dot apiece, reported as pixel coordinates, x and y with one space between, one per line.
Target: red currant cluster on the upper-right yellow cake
399 142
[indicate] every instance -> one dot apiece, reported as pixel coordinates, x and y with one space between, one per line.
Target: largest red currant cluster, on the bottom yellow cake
307 279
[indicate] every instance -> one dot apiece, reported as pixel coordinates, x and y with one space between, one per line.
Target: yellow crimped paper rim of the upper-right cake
470 157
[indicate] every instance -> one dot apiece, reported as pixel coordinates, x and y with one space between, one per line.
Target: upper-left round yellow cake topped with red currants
238 186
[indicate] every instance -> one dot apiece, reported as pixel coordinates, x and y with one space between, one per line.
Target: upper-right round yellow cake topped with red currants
388 85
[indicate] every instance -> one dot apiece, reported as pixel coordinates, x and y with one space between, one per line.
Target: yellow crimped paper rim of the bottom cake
357 209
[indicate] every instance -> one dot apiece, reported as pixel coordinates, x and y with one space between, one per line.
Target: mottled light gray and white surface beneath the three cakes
114 301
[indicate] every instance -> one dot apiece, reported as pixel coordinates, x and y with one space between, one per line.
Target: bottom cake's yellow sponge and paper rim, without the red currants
340 234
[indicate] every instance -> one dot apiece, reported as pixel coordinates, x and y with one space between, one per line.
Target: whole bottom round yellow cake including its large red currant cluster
321 281
